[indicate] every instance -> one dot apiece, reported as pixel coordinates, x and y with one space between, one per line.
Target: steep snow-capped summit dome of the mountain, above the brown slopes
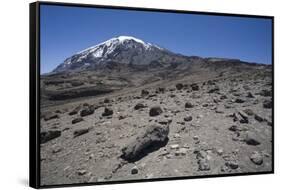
122 49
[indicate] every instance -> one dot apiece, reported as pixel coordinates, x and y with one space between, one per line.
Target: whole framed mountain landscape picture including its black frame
121 94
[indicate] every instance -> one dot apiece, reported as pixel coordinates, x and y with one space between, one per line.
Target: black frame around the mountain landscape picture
34 98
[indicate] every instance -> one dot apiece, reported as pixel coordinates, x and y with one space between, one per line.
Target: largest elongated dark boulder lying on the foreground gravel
152 139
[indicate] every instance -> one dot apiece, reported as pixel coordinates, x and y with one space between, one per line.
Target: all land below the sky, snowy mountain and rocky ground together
172 116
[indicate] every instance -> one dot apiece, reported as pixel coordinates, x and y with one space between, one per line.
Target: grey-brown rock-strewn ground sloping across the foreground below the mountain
220 124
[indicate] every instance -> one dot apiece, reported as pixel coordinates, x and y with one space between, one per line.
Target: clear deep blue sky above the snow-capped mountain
68 30
